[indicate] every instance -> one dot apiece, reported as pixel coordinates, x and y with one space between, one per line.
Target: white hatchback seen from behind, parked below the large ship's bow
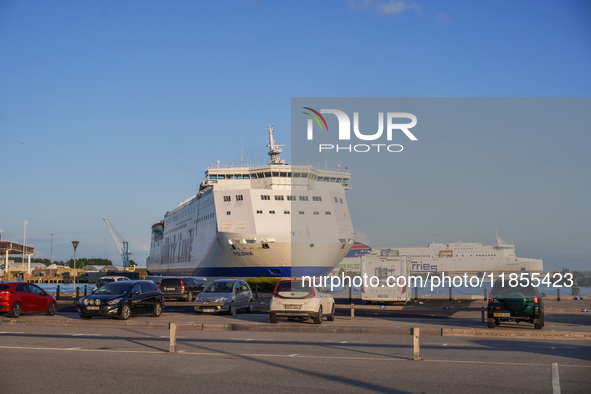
292 299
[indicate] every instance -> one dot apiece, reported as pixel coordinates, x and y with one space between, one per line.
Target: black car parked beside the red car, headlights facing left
123 299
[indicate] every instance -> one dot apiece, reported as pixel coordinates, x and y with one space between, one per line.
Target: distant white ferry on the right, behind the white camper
471 258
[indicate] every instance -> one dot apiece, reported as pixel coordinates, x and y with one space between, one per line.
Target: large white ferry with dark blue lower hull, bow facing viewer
276 220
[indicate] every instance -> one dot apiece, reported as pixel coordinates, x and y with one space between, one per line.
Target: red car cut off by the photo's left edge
23 297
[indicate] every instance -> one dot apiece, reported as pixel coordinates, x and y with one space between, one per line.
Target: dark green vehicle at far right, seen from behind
515 303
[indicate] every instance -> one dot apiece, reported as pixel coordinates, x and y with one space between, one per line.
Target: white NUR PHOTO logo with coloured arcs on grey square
392 124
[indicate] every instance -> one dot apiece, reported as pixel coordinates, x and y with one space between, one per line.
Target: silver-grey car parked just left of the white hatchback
234 292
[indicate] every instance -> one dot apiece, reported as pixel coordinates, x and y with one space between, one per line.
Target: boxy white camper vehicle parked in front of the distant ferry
385 269
